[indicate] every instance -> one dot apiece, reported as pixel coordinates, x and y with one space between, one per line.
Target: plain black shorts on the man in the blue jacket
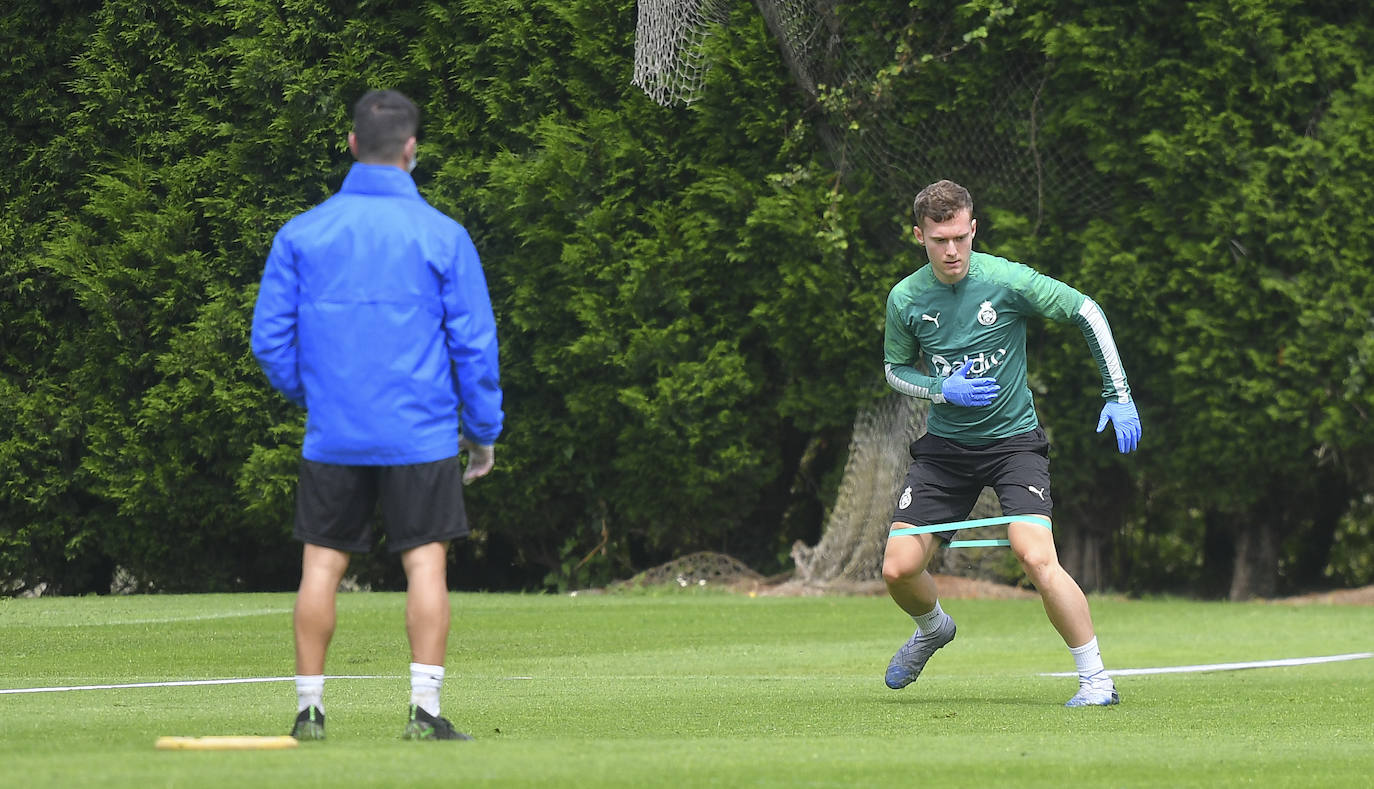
421 504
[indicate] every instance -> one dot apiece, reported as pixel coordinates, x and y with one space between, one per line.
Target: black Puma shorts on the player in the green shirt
946 479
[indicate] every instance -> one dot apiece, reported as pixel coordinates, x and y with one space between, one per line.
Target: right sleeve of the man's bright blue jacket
471 333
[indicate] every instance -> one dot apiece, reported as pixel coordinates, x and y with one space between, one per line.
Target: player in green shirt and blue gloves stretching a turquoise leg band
957 336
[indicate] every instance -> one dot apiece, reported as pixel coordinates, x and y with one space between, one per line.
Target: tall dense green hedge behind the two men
690 300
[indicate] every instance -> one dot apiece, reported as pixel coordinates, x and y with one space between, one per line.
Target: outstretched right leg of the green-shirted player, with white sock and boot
1067 608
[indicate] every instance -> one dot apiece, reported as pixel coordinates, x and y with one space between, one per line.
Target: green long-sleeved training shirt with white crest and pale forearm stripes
935 328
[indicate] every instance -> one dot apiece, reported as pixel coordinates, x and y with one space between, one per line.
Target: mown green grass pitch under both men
690 688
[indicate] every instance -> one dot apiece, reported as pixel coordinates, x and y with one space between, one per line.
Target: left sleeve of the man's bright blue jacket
275 325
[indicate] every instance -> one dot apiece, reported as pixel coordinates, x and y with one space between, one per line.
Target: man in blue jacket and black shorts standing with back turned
374 317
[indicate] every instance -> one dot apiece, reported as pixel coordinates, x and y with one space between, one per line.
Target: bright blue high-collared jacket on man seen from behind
374 315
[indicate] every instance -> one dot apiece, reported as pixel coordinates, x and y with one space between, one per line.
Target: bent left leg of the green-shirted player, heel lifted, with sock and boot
913 589
